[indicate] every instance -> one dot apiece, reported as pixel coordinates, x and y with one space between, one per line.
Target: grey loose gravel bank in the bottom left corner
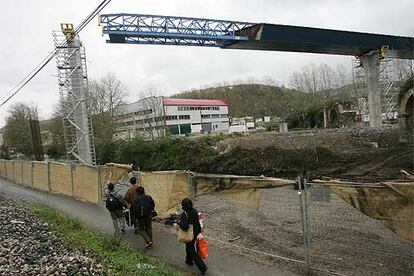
28 246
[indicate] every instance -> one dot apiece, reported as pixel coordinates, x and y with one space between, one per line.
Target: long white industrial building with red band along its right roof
156 116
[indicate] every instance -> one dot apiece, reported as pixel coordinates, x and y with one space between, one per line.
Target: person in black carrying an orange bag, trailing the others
190 216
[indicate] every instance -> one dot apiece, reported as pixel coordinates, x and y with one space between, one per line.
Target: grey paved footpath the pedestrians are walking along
220 262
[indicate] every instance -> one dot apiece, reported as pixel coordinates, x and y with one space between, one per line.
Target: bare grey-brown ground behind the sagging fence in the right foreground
343 240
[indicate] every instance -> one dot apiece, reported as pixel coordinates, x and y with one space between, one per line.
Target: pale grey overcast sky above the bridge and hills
26 38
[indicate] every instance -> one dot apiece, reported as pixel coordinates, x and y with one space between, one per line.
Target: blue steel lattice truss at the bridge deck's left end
170 30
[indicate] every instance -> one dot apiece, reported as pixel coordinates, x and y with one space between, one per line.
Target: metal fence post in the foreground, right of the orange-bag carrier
304 220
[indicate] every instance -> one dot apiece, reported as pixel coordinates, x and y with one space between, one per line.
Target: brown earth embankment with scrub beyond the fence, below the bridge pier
357 154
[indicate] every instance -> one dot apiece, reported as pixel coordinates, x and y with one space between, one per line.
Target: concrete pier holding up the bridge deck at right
371 65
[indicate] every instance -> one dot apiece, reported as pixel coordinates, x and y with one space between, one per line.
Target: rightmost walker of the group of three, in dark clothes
144 211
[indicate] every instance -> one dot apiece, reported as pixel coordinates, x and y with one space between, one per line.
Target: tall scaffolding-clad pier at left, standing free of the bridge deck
74 100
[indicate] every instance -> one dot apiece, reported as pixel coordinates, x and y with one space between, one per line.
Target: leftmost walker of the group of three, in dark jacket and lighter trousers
115 204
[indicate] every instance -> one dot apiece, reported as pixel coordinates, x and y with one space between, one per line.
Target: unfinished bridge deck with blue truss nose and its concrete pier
186 31
